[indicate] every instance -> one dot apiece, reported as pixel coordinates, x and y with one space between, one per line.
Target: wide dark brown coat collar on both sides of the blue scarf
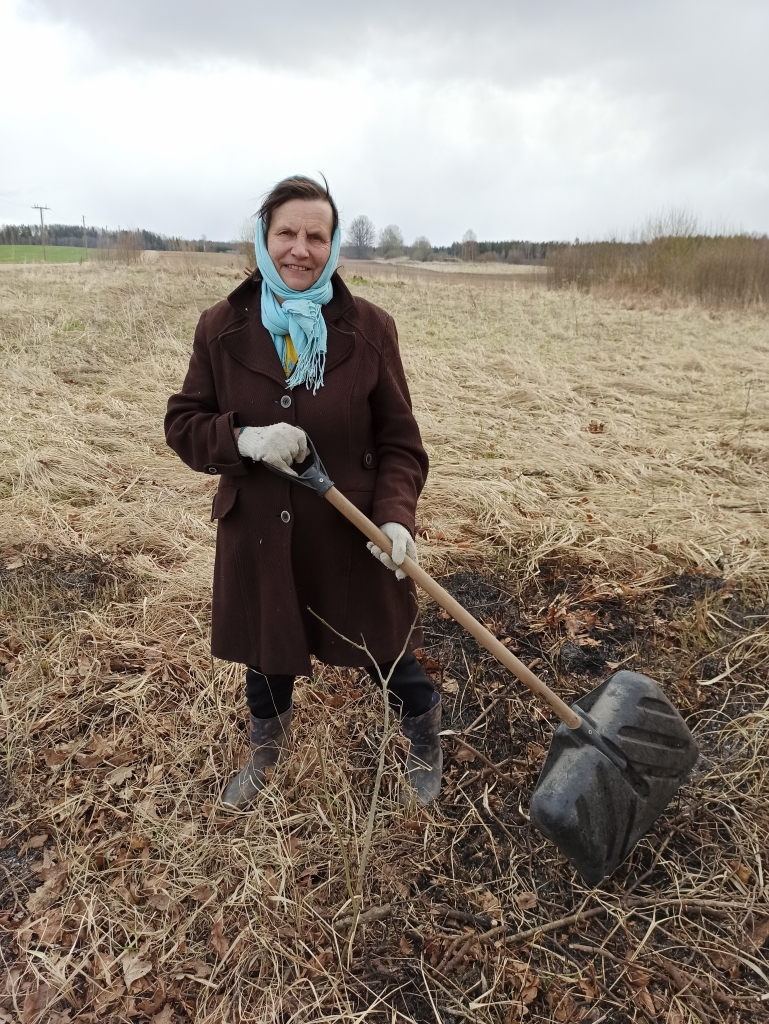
252 346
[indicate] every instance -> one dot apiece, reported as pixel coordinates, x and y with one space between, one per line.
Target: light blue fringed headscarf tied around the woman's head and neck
301 314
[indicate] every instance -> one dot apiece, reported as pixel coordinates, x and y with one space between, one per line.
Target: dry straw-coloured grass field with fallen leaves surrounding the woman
599 495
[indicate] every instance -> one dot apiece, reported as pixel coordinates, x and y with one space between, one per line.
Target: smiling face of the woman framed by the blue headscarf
300 241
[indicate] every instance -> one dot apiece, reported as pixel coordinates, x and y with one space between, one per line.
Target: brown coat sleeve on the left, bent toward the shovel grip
196 429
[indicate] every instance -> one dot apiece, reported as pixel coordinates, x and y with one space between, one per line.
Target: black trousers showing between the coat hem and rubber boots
410 692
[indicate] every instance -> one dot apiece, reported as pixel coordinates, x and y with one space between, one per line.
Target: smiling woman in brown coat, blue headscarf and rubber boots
292 351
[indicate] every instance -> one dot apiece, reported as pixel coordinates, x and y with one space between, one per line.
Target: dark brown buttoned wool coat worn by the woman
280 548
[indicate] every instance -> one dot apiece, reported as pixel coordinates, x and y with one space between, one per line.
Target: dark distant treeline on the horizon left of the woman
105 238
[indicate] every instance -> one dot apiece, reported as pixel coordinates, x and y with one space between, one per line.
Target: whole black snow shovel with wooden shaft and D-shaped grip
619 756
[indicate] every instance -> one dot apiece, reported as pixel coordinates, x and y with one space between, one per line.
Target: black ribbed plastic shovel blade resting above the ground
595 812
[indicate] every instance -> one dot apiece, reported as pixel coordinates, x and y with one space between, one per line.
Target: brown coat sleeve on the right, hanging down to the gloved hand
403 460
